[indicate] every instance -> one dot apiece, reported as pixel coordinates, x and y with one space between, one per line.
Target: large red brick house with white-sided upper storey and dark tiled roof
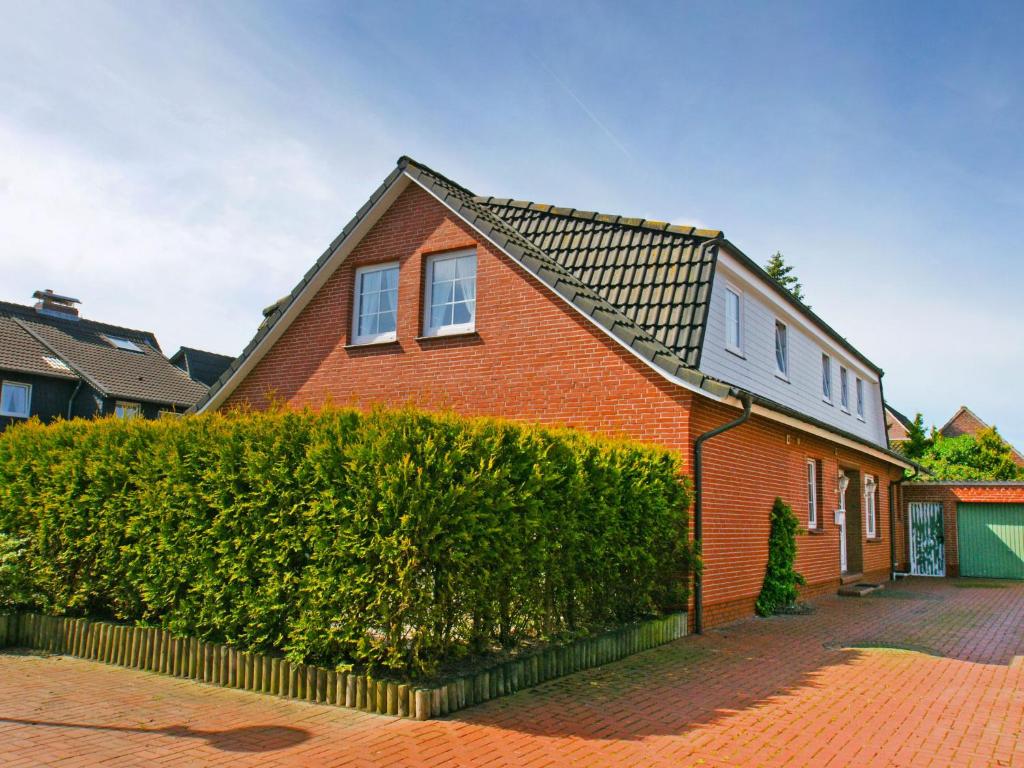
439 297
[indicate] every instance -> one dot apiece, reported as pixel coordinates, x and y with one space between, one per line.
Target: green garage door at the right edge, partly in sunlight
992 540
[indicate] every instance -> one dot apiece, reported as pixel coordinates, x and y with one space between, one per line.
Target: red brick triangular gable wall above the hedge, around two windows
533 357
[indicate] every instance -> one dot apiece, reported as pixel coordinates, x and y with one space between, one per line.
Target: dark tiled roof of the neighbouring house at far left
145 376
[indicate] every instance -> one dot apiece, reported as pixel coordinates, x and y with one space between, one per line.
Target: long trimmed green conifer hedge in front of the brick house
396 540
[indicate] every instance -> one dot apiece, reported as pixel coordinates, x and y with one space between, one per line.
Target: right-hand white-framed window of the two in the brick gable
451 301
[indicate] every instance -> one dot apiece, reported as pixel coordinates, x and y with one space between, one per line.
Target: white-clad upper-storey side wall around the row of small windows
755 368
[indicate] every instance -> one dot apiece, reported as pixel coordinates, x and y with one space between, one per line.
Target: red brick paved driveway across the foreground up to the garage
926 675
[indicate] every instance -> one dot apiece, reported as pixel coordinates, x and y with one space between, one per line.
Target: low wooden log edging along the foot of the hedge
154 650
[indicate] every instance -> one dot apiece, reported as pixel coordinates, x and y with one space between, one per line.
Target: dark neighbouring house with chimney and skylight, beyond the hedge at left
56 364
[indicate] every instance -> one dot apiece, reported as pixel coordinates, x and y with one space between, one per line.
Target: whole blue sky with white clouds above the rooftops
180 166
